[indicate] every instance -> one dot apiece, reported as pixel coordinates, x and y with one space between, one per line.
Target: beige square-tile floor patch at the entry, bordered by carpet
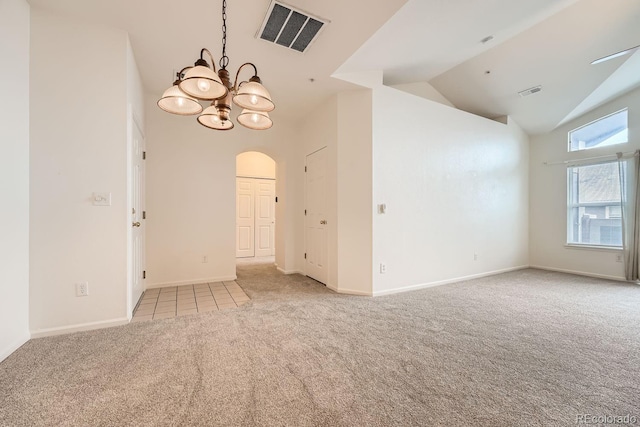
164 303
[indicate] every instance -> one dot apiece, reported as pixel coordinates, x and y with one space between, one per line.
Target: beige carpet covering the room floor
523 348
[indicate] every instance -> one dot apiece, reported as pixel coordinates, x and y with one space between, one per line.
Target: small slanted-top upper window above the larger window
610 130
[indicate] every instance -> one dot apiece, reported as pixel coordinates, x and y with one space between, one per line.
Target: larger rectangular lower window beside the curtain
594 208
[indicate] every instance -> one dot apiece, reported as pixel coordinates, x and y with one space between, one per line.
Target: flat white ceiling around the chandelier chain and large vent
168 35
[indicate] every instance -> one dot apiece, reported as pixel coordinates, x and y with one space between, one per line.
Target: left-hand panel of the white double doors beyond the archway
245 218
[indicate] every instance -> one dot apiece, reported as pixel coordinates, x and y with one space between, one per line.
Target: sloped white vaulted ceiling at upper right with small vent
536 42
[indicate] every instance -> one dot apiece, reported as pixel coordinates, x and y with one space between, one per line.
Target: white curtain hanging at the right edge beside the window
629 172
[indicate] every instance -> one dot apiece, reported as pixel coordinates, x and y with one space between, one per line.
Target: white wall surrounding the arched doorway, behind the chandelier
190 190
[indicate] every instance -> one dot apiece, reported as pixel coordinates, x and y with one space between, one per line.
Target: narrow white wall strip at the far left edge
14 175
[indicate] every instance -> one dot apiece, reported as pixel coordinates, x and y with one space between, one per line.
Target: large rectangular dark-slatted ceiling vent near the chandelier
288 27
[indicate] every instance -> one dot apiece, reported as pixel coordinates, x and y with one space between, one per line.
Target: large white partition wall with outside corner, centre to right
400 156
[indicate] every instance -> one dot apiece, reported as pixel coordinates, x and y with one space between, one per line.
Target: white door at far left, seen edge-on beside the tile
137 219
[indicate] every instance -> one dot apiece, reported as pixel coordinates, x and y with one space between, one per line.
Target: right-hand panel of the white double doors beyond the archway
265 212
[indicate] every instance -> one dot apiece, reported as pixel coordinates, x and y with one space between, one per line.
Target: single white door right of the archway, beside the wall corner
316 217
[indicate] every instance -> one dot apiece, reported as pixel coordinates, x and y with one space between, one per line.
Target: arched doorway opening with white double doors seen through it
255 205
